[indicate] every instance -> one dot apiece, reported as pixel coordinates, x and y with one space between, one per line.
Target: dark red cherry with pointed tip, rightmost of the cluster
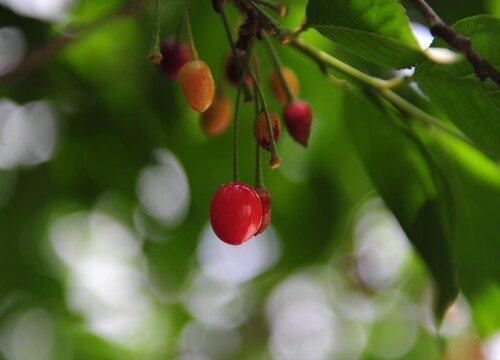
298 120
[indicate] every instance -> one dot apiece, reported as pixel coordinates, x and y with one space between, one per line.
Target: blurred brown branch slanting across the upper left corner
39 56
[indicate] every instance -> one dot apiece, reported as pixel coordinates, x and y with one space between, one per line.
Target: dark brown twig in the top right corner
438 27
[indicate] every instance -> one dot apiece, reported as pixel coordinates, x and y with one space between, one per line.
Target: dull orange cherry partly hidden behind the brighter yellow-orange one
218 116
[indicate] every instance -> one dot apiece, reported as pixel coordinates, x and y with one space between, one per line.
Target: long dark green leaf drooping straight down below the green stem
405 177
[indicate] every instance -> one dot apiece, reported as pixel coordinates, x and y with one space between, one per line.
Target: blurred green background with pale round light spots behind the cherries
106 178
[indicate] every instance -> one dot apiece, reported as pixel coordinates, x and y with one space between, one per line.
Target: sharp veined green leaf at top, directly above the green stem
376 30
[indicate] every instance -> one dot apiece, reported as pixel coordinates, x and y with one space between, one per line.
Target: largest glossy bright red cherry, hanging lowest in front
235 213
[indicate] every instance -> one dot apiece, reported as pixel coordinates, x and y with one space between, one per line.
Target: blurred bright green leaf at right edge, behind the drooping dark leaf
475 186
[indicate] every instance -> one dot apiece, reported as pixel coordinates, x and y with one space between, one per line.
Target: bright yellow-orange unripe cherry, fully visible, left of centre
197 84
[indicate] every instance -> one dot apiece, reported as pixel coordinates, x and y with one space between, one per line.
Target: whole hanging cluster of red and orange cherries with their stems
238 211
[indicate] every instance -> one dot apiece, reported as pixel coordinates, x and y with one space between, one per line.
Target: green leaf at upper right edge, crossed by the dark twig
474 107
